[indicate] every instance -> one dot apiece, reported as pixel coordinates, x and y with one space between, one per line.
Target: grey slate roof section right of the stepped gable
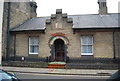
95 21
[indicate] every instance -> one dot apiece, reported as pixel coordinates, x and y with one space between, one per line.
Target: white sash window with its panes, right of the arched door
87 45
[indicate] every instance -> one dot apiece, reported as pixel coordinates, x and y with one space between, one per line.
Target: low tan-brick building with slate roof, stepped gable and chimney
66 38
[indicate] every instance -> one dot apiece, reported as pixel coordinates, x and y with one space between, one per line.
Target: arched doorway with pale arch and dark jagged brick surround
58 48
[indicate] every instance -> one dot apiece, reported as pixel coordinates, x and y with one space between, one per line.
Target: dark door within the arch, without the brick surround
59 46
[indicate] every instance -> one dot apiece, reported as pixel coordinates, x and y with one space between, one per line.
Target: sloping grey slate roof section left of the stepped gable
36 23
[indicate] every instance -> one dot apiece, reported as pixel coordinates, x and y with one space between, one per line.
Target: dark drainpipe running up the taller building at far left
8 33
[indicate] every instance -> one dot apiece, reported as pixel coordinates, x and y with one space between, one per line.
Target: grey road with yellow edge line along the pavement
34 77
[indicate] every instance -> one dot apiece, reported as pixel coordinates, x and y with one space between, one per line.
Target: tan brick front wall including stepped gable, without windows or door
102 40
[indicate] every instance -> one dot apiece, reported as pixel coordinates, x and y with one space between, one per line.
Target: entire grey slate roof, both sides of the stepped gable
79 21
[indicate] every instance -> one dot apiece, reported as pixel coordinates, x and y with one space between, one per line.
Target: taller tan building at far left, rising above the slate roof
14 14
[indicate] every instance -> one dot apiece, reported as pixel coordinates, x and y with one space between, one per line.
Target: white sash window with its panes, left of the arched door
33 45
